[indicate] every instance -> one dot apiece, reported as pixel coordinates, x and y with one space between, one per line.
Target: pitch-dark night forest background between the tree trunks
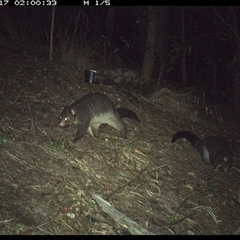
210 54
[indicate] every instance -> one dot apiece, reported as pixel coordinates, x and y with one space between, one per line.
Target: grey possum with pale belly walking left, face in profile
93 110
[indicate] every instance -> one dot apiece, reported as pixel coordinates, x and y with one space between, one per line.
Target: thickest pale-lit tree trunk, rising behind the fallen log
149 55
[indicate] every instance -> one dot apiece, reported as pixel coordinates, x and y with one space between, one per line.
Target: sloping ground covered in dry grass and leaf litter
47 182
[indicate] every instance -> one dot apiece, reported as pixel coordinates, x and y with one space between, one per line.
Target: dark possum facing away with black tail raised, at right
212 149
